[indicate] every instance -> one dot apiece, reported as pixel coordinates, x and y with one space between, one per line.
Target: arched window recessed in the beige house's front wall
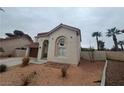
61 46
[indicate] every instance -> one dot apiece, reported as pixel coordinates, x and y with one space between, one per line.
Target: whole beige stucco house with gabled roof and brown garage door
61 45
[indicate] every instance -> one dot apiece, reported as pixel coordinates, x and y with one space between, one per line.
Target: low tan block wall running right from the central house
101 55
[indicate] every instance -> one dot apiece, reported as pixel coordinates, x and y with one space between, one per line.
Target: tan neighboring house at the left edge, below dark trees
10 46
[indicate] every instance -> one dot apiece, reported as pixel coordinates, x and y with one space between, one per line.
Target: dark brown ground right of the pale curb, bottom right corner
115 73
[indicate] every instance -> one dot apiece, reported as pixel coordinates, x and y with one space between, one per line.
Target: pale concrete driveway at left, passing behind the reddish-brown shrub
14 61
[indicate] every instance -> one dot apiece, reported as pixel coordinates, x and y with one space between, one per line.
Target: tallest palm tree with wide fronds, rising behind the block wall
112 33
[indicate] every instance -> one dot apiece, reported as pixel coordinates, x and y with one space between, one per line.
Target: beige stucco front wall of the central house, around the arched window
72 48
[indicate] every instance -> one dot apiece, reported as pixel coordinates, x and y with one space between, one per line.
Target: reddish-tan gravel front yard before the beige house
85 74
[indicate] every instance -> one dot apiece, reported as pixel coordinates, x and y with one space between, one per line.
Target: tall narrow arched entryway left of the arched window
45 49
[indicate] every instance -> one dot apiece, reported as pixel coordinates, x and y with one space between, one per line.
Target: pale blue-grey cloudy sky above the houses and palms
43 19
